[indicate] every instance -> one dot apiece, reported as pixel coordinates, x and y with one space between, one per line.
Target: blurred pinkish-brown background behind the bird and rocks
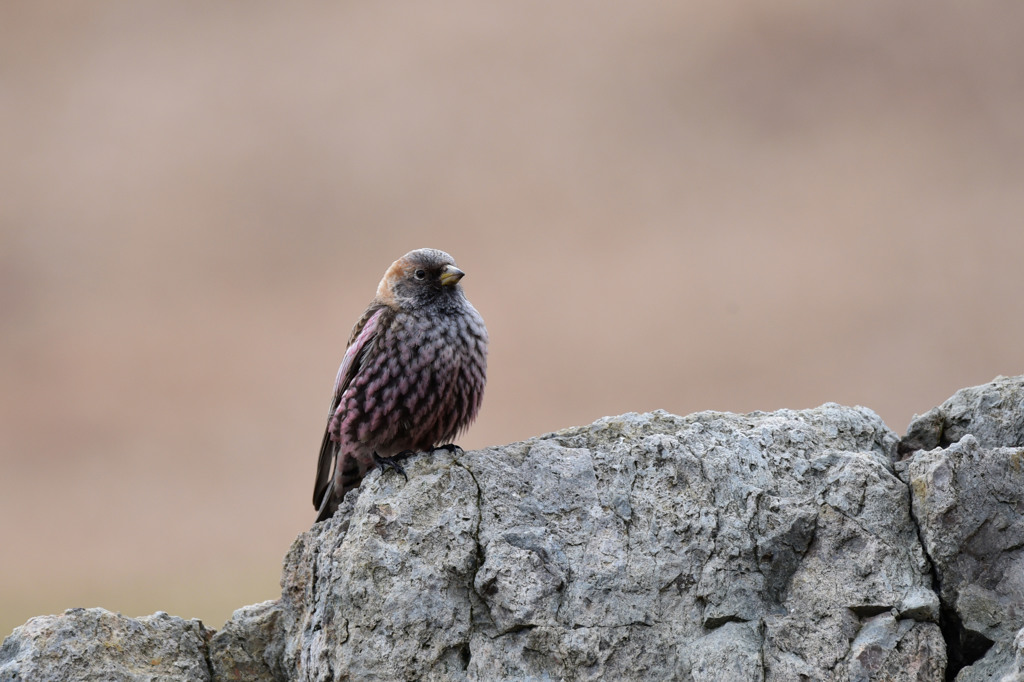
715 206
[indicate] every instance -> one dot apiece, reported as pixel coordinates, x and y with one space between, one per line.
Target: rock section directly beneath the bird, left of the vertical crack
383 589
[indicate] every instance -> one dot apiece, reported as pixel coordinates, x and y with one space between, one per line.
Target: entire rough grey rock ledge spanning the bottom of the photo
776 546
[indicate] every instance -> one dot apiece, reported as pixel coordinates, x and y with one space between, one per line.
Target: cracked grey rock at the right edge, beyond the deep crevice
968 499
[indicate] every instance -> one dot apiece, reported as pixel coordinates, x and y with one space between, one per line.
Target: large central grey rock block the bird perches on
641 547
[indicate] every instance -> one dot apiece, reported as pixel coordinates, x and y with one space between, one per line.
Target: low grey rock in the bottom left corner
96 645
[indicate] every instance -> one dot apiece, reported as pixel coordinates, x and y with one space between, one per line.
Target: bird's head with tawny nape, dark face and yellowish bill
421 278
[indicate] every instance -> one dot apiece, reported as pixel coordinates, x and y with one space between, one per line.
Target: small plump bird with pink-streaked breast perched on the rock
413 375
